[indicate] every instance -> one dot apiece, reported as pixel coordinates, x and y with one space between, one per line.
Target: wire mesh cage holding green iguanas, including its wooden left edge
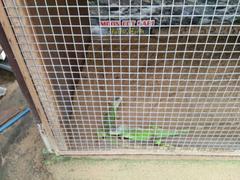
121 76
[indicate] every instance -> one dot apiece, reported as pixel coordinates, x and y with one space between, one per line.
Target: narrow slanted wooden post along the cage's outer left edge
25 75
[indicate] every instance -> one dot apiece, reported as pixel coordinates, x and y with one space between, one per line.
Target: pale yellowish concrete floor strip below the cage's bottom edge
102 169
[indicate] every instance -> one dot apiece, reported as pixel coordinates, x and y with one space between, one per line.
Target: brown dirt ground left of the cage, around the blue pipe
21 146
